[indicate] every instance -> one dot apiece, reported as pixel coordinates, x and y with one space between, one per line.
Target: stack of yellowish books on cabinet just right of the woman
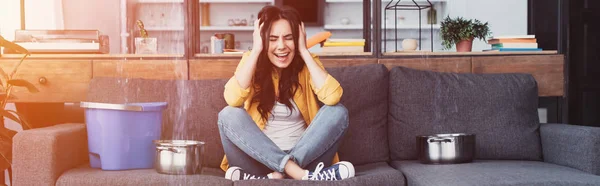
343 45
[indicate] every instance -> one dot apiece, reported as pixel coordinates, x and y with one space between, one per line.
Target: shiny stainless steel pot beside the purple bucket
179 156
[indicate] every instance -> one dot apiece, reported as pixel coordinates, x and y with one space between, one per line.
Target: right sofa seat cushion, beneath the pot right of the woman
494 172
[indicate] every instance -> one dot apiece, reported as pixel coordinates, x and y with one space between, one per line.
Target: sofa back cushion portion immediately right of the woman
365 97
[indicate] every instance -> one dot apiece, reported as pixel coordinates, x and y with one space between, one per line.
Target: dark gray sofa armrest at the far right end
572 146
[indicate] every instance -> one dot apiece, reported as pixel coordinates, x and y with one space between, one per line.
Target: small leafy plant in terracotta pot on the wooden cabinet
461 32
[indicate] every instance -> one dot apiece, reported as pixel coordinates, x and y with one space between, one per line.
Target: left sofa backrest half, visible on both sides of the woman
193 107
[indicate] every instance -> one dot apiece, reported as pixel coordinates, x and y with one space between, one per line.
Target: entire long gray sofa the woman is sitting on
387 110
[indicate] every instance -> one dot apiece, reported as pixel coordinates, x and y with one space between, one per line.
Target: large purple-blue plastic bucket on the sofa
120 136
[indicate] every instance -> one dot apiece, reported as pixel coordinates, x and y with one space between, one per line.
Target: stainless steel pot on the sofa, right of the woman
446 148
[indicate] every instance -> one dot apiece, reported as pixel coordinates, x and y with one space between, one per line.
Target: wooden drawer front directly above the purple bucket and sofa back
146 69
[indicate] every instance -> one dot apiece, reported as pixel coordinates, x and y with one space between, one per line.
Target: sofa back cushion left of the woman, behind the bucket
193 107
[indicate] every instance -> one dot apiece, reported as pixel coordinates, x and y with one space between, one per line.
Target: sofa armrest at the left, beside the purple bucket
41 155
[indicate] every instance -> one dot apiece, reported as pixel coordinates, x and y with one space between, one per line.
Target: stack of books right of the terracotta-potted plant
514 43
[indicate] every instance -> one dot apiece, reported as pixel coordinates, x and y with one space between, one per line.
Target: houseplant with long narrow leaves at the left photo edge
7 83
